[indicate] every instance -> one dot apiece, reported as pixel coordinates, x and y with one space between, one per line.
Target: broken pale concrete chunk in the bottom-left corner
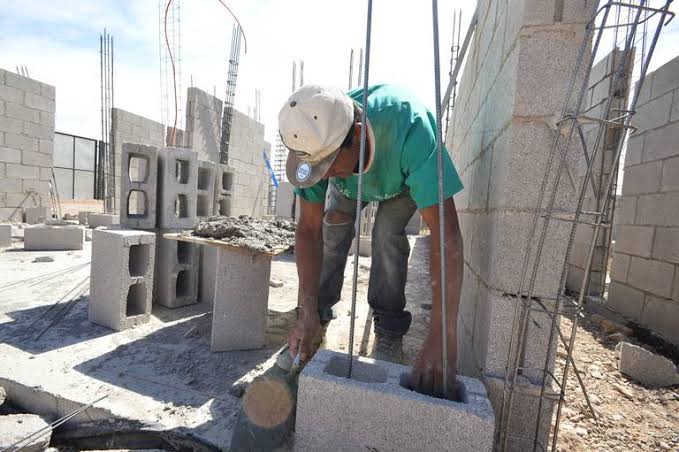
16 427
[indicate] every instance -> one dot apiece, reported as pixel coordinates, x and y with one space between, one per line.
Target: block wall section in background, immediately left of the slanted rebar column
203 123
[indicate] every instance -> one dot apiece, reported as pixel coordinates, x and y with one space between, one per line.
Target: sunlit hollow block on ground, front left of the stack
121 281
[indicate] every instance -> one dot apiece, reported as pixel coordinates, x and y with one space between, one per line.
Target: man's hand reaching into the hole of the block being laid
427 374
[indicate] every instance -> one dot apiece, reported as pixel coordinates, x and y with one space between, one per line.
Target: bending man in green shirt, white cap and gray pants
321 127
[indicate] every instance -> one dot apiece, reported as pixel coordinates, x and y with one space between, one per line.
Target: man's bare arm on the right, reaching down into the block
427 375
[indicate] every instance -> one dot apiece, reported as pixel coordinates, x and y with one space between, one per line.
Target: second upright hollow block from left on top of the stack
177 179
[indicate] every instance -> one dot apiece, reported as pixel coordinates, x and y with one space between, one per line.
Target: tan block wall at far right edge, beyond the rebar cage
645 266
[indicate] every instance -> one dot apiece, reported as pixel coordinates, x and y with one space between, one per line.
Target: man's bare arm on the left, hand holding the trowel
309 255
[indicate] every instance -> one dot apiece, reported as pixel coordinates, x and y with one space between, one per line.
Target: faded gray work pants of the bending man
389 269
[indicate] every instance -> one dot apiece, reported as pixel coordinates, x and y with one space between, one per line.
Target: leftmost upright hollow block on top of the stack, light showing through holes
139 180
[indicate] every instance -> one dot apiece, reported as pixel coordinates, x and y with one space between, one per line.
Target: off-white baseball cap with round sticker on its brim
313 124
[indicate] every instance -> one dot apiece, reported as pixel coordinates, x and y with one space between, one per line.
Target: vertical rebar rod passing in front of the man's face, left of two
361 167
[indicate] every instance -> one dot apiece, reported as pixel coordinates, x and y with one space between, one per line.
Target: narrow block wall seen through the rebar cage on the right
600 90
